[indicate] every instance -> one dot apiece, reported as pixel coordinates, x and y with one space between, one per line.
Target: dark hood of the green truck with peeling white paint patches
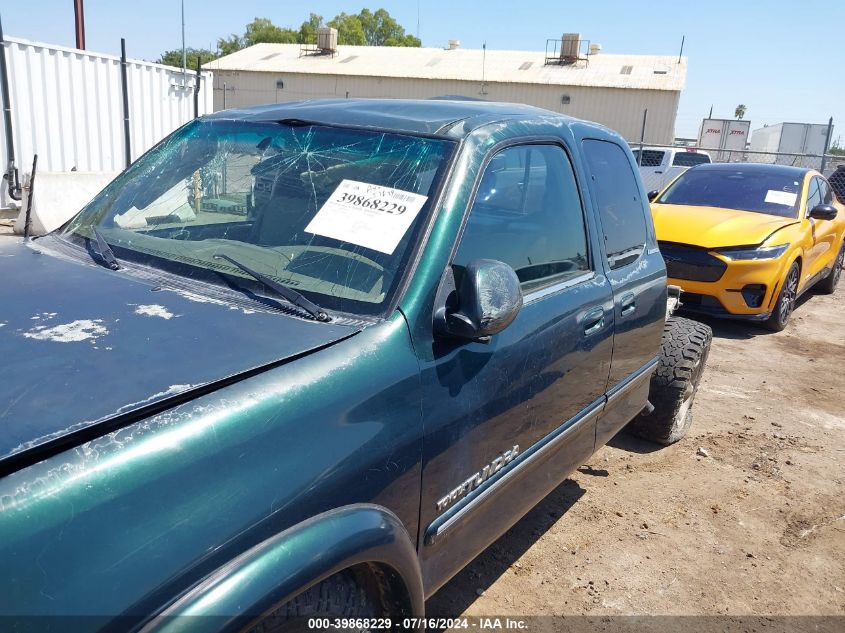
83 346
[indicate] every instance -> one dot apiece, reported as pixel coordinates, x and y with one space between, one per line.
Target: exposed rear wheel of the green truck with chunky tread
683 354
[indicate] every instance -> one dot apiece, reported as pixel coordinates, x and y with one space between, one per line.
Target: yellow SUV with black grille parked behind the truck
745 240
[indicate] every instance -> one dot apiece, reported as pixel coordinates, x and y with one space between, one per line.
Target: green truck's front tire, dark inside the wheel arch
339 596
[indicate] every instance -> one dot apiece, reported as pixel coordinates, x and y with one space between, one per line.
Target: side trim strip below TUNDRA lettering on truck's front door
448 521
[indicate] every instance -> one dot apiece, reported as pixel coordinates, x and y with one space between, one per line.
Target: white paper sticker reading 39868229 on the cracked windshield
368 215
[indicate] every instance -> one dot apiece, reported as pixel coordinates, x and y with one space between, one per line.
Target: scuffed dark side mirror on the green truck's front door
488 300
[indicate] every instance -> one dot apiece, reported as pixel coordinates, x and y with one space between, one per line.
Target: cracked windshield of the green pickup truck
329 212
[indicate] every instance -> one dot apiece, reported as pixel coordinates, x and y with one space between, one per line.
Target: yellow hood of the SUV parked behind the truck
714 227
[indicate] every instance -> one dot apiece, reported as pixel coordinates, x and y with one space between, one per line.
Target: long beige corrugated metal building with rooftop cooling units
610 89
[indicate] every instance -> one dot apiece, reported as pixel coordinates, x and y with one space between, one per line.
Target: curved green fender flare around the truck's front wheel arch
283 566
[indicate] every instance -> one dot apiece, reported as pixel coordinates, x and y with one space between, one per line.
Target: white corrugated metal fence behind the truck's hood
67 106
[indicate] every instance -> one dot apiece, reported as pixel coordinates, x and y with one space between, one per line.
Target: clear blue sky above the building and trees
783 59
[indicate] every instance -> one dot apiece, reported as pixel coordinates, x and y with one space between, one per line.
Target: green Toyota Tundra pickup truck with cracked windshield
306 361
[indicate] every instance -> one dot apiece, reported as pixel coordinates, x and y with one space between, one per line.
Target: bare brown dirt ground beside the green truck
755 527
